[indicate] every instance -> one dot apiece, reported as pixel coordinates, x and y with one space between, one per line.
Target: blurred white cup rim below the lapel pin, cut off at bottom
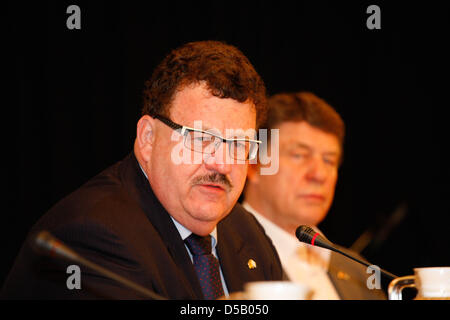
275 290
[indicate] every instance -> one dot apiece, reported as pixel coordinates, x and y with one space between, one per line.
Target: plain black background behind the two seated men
74 98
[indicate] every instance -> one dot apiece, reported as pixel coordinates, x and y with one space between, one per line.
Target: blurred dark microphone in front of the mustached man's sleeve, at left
47 244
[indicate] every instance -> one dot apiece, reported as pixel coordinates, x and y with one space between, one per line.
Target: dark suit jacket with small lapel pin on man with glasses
116 221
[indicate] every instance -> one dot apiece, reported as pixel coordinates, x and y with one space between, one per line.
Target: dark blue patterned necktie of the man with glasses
206 266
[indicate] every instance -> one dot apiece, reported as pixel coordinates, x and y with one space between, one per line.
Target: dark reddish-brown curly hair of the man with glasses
226 70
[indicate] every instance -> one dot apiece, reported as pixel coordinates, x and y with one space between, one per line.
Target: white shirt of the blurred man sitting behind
302 263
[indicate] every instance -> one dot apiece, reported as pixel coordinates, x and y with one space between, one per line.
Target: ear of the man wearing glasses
145 137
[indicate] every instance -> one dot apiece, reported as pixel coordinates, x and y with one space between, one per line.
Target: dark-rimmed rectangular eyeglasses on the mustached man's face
208 142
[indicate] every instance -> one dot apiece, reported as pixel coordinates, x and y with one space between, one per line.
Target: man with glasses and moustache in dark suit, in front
166 216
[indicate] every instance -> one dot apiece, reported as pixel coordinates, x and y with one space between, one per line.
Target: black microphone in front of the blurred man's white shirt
308 235
